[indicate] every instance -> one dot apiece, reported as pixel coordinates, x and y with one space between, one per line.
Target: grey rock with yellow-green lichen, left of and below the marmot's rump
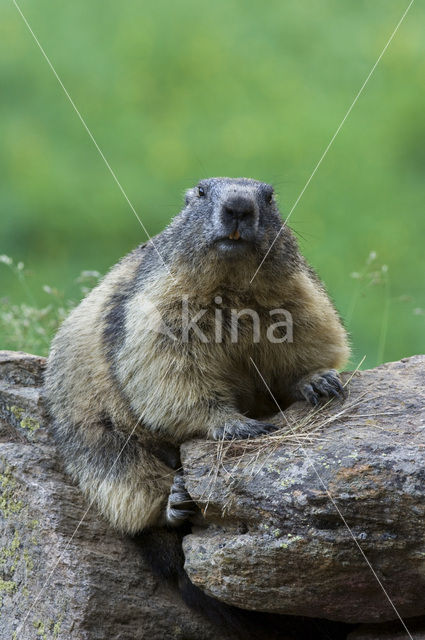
64 574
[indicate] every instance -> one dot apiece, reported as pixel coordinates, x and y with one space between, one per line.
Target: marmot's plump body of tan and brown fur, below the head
161 392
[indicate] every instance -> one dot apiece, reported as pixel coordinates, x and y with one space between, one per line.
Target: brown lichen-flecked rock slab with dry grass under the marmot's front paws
318 522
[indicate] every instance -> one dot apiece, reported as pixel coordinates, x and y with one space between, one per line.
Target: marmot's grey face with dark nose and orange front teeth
233 217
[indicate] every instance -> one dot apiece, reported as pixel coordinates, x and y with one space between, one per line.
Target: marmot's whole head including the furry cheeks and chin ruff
227 228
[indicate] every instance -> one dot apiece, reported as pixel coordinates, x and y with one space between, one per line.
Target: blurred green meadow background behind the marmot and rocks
177 91
